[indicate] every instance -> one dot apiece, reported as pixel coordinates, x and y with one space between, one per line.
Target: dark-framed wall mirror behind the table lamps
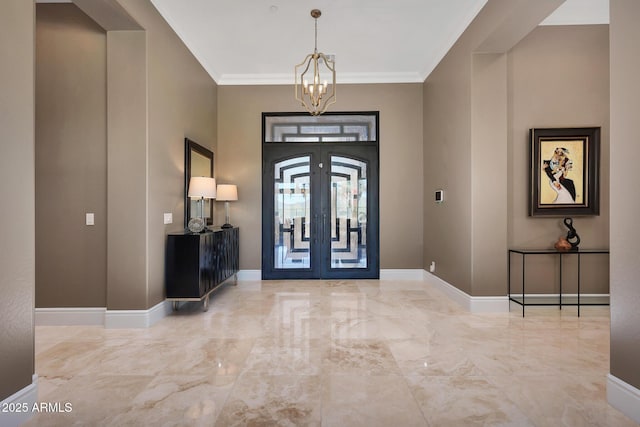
198 161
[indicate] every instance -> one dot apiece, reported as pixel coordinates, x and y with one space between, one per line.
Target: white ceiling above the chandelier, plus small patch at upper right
377 41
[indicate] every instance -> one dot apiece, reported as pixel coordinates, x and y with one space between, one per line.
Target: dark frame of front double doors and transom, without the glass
320 236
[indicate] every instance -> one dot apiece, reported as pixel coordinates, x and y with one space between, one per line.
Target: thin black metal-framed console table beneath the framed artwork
526 252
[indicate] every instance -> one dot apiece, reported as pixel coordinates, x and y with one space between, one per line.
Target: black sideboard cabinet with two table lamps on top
198 263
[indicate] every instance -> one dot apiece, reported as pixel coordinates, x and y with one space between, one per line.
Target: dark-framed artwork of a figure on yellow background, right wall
565 169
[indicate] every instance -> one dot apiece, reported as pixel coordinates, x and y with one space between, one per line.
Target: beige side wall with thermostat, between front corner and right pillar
447 166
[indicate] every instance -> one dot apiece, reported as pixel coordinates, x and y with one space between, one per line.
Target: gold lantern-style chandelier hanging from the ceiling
315 84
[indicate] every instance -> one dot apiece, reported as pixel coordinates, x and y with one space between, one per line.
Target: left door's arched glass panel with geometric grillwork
292 207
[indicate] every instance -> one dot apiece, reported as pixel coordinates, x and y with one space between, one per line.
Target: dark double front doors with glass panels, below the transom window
320 211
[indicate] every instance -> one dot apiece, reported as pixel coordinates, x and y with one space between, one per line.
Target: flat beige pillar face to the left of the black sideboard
128 170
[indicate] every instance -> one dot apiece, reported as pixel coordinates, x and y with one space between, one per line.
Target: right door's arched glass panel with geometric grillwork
348 222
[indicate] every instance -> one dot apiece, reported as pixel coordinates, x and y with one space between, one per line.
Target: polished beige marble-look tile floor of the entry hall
332 353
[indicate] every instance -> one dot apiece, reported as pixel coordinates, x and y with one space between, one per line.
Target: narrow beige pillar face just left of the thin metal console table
488 186
